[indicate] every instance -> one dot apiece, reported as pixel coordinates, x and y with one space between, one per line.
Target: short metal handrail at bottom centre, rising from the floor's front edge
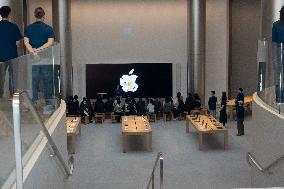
152 178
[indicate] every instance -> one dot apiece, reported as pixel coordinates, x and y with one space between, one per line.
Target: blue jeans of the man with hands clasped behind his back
46 73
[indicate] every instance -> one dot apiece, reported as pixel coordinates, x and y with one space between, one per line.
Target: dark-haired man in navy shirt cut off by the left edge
10 37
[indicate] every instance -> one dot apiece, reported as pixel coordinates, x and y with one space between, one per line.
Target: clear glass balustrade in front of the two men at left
39 76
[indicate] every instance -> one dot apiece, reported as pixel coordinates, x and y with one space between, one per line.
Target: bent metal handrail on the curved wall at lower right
259 166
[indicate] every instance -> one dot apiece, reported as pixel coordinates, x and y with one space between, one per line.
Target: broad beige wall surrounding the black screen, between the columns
137 31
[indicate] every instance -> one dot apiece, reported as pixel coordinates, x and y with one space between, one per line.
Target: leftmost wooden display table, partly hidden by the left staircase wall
73 127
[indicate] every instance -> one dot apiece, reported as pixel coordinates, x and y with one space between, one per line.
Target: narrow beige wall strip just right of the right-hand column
217 43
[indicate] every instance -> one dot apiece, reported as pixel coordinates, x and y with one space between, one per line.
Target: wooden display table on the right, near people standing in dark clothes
206 124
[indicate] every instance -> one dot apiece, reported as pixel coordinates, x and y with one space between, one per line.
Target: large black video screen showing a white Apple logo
152 79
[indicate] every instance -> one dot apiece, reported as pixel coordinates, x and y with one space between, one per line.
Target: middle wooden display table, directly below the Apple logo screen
135 125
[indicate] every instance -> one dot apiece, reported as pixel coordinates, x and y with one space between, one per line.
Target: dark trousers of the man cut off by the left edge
3 69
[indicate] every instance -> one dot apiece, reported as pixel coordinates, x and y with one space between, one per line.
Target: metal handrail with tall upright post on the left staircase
17 136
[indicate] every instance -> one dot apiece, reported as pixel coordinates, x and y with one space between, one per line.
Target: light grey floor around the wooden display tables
100 163
